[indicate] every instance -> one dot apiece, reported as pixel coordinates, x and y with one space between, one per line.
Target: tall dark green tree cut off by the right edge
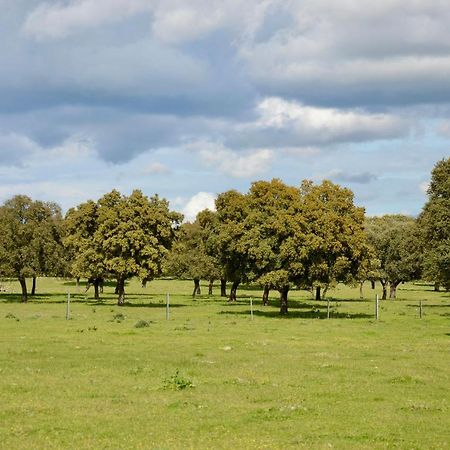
435 226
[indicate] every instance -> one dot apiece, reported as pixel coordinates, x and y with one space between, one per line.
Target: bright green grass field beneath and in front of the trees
210 377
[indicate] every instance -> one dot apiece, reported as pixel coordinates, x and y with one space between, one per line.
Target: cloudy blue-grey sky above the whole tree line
190 98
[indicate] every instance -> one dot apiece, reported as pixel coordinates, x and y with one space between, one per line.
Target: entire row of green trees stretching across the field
278 236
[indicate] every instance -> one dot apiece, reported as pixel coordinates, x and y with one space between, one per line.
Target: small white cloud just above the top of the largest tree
229 162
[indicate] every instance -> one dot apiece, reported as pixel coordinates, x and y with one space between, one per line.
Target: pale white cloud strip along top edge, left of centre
172 21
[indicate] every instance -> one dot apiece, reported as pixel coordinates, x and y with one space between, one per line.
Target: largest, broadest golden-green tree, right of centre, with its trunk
279 235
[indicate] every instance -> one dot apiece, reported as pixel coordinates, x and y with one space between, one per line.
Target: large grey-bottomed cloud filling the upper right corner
354 52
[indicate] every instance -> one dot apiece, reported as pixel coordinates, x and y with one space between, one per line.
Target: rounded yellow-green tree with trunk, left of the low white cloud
121 237
